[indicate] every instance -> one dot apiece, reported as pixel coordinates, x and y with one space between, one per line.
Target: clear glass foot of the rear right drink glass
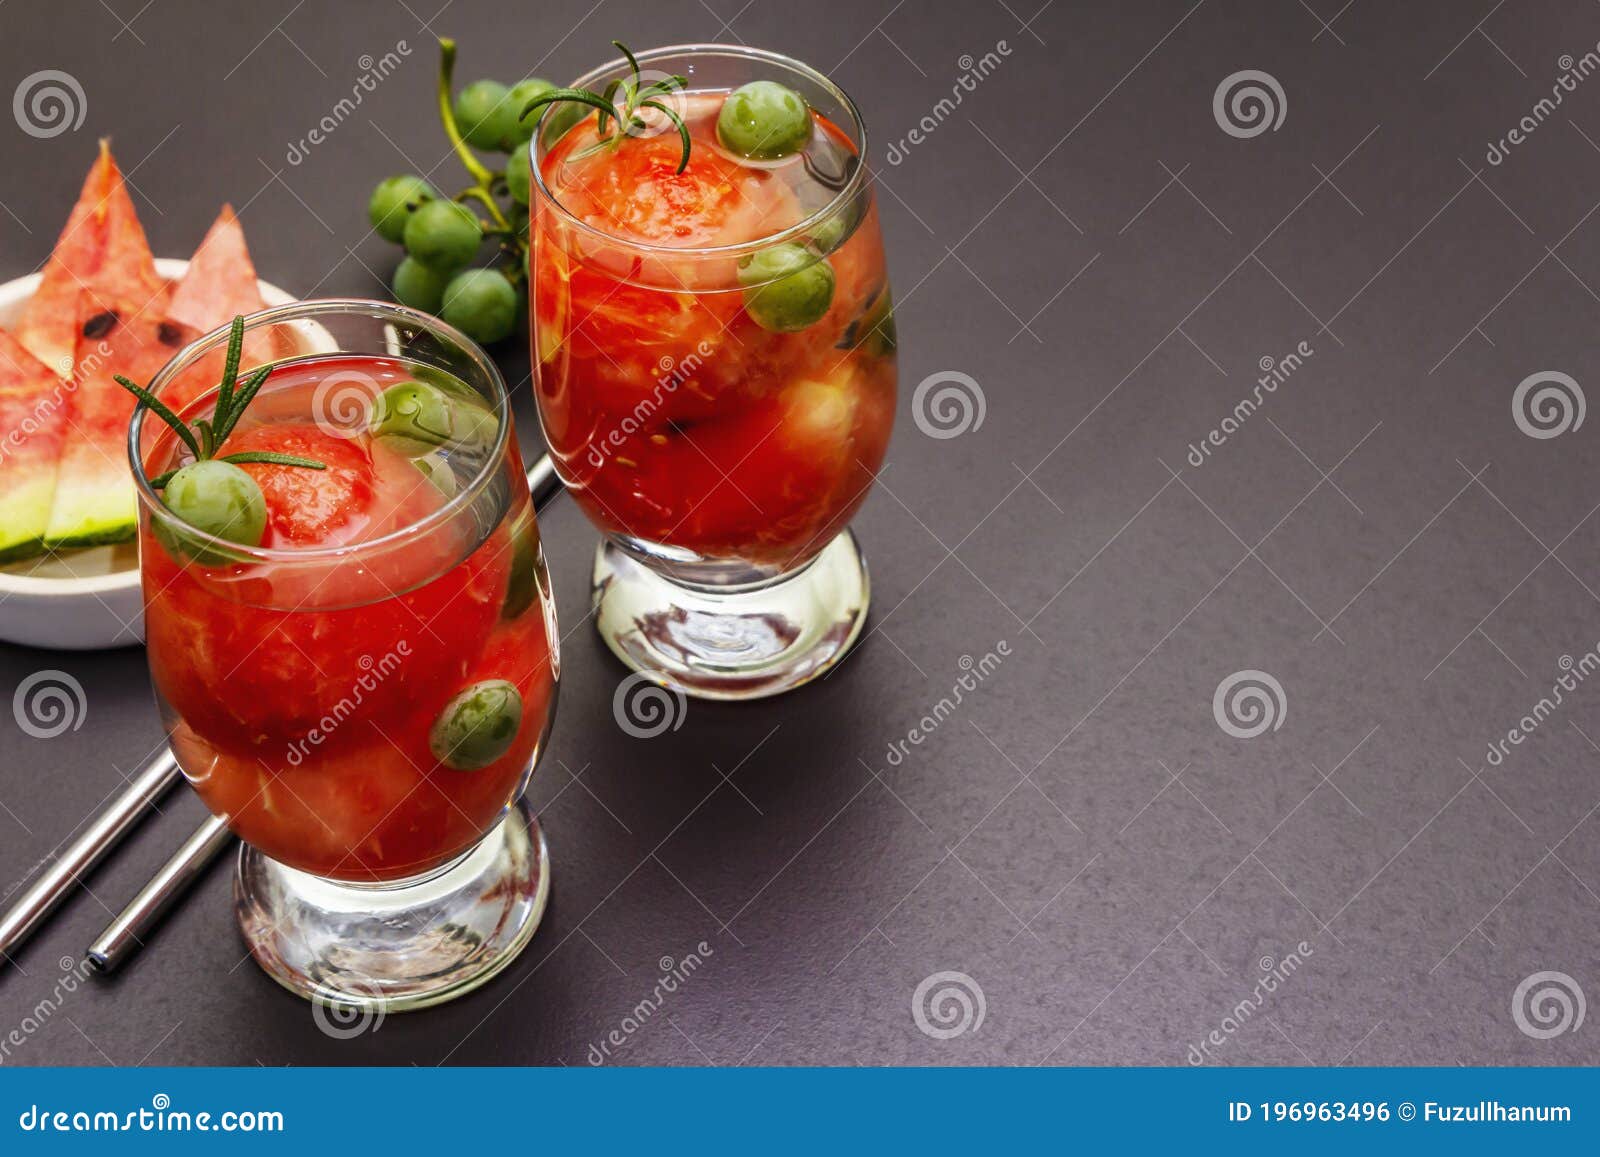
734 643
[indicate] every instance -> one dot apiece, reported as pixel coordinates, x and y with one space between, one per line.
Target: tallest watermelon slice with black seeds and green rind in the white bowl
118 322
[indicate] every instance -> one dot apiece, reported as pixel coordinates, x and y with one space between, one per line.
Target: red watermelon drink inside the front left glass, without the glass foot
302 695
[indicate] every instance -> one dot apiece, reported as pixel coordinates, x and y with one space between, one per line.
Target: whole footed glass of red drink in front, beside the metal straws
364 697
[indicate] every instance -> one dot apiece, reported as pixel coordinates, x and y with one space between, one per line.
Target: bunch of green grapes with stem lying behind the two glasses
446 236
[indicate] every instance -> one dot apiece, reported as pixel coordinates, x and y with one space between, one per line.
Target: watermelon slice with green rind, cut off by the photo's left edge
33 420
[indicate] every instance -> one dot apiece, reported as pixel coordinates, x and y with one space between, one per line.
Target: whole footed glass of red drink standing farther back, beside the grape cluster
714 361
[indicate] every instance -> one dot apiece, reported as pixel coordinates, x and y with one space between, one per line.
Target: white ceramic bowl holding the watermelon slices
79 601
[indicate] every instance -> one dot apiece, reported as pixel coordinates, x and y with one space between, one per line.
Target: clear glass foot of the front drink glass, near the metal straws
398 947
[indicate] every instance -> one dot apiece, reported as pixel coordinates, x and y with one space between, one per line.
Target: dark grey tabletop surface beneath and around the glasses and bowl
1081 838
